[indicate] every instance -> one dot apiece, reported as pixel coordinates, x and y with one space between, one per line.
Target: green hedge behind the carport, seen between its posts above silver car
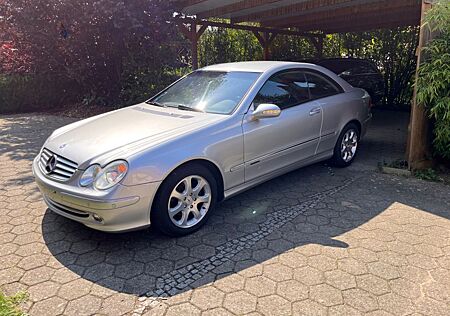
392 50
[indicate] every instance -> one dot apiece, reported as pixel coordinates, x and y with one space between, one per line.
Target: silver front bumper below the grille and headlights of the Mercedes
122 208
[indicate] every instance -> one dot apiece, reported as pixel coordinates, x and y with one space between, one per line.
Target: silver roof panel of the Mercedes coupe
253 66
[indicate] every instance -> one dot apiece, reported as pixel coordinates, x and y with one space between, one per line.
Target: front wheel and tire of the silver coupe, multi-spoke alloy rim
190 209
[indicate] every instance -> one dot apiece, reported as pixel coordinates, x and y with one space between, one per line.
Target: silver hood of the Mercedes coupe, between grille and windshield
119 133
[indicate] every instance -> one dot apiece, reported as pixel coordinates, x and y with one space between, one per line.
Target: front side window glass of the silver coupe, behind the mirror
285 89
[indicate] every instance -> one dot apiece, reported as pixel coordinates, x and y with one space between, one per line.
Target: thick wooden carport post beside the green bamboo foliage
419 138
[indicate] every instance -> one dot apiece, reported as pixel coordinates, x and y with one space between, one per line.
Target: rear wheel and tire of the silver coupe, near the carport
343 159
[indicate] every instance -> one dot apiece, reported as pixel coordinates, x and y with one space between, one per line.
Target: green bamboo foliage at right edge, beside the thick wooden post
433 86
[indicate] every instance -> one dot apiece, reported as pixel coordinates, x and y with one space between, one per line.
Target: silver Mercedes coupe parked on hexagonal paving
210 135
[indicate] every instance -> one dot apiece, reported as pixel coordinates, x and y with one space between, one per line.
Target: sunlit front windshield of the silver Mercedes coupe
207 91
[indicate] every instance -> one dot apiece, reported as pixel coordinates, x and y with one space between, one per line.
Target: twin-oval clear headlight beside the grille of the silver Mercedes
104 178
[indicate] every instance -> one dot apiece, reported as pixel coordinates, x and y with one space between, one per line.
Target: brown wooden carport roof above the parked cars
328 16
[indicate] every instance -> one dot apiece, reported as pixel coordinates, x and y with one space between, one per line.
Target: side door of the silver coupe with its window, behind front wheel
277 142
